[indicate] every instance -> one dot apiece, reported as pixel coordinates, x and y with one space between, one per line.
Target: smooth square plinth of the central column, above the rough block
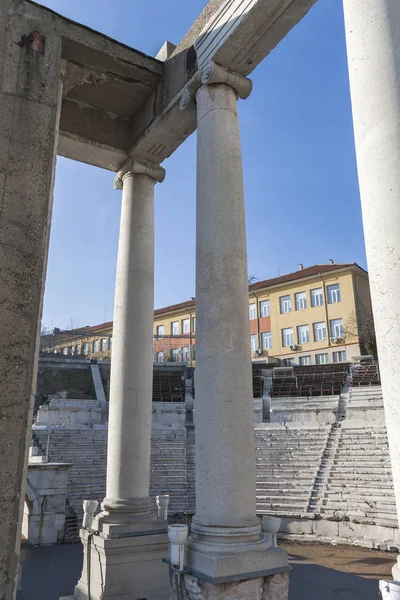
220 563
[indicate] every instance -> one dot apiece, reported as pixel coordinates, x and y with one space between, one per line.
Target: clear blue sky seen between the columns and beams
301 189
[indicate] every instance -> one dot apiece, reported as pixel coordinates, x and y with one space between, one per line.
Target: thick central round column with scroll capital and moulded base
226 539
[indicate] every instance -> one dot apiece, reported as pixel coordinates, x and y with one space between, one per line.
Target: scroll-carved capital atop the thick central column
211 74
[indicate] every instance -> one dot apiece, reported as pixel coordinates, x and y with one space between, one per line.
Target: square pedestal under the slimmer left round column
128 567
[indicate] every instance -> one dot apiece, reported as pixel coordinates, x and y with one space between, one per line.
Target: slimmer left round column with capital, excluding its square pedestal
129 436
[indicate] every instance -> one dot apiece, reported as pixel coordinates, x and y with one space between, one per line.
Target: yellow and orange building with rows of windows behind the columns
306 317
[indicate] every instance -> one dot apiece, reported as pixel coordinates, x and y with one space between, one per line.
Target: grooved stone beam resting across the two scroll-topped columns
236 34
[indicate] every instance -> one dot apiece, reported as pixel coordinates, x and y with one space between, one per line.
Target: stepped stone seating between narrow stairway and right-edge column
359 484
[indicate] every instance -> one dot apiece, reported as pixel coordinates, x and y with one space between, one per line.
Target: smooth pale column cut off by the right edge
373 50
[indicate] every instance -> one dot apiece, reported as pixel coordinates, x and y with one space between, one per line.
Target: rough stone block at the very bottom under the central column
273 587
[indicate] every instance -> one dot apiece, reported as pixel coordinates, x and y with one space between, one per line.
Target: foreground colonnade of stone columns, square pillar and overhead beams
69 90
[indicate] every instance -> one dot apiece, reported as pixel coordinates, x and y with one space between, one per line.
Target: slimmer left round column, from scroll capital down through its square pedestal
124 556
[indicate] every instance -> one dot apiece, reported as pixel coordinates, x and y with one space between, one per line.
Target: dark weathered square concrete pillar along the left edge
30 101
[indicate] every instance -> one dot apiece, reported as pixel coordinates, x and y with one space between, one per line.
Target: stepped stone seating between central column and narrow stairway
287 463
